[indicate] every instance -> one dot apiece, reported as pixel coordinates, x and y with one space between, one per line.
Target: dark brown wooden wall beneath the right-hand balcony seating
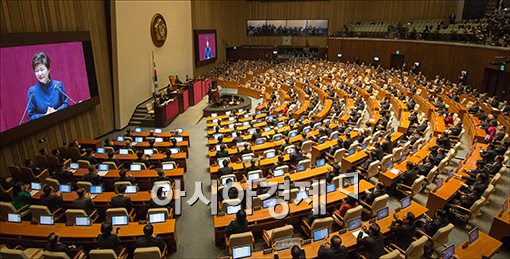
436 58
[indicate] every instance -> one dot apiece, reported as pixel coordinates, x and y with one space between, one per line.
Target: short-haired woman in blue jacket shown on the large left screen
48 95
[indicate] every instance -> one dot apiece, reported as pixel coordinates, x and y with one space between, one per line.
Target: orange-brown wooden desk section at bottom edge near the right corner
485 245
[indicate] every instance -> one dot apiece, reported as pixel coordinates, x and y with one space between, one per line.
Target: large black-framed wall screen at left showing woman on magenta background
44 78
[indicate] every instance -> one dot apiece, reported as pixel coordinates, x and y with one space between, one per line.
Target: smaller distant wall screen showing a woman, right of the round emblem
205 46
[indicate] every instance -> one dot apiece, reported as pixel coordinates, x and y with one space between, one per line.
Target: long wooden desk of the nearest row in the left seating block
30 235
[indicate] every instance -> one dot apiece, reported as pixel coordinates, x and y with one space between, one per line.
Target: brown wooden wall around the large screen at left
59 16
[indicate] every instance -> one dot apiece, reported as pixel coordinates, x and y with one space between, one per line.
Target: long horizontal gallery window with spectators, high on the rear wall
287 28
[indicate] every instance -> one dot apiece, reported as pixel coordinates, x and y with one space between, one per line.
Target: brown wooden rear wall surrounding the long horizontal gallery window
229 17
